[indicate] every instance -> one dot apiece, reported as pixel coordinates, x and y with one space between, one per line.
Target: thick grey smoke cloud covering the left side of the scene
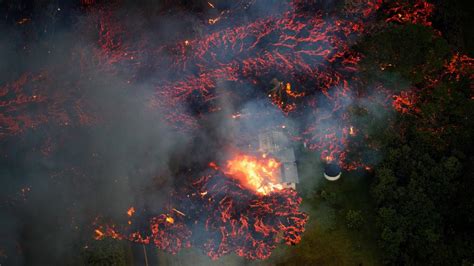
100 151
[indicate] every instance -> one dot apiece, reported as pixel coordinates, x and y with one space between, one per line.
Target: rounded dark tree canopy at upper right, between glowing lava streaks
401 55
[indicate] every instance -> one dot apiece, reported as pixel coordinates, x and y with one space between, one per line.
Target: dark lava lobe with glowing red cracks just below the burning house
247 223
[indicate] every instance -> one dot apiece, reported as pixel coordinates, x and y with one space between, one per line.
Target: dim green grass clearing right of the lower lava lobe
331 238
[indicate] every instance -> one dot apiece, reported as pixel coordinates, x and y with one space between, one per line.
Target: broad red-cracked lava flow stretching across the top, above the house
306 53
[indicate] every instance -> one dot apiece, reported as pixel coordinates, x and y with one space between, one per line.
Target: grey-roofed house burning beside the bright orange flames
277 145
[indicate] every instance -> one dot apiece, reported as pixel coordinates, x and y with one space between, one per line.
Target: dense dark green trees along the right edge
425 212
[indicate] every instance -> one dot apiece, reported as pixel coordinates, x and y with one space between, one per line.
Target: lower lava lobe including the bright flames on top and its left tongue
220 216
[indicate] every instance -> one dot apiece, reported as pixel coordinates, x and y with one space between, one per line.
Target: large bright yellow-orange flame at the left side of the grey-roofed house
257 174
